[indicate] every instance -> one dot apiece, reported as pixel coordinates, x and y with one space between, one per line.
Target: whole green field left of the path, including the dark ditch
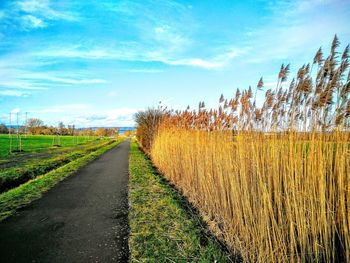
39 157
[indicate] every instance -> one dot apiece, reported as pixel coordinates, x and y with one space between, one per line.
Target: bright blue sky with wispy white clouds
97 62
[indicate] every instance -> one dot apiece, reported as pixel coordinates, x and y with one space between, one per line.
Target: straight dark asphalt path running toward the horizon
82 219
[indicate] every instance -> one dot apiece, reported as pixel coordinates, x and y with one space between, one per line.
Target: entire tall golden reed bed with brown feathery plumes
273 179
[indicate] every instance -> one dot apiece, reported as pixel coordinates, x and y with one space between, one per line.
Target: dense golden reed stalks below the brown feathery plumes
274 199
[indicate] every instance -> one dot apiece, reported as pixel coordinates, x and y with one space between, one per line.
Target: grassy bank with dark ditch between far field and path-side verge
16 175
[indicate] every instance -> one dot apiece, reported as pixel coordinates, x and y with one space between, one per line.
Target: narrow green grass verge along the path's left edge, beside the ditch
18 197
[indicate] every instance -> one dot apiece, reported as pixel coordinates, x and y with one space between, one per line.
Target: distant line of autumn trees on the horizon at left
36 126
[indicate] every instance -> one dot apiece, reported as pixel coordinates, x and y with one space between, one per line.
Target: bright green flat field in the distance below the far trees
34 143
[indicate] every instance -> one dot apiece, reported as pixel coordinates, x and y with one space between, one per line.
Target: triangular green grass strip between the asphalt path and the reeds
162 226
